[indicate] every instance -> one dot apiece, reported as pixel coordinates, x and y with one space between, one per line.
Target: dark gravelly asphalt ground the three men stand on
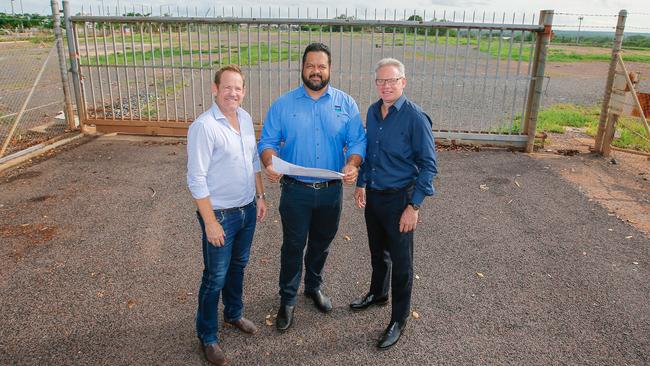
101 262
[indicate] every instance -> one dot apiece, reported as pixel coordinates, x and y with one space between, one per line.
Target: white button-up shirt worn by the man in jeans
221 162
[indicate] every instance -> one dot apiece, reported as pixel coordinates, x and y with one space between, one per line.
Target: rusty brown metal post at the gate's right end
537 80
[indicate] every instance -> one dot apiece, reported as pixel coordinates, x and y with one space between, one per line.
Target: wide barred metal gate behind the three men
479 81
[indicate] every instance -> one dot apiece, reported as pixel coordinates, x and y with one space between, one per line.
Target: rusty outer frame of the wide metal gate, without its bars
524 140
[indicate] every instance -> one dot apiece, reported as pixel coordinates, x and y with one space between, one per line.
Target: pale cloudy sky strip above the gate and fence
592 11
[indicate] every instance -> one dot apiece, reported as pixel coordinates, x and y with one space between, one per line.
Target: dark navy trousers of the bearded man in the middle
309 217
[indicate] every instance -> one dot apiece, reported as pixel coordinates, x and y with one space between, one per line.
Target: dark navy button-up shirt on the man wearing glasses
401 151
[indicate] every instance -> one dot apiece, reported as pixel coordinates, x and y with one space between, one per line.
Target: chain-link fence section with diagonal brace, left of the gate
30 81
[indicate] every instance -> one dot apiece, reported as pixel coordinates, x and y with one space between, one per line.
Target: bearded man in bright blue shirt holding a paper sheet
315 126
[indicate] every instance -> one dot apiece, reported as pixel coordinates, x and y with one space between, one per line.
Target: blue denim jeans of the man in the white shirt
223 270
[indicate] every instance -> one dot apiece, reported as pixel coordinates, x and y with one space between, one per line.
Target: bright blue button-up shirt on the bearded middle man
320 133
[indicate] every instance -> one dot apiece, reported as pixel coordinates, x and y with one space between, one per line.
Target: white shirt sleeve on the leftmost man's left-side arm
199 155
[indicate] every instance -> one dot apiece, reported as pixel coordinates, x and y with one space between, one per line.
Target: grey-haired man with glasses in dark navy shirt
394 179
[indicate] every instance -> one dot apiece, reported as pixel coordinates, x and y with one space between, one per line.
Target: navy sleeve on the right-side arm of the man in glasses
425 158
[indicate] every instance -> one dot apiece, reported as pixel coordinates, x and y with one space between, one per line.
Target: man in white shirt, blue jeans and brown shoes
223 175
